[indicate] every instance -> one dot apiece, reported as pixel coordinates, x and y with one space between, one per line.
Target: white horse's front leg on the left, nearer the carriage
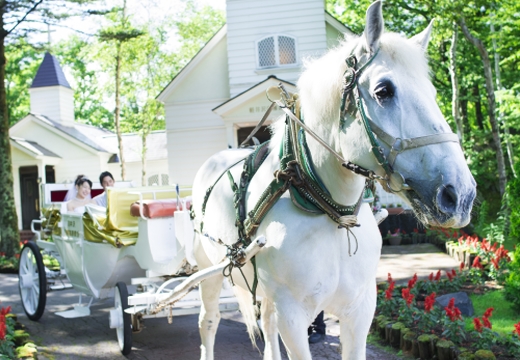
293 321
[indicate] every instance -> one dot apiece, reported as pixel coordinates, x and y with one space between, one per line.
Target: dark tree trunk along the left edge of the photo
9 234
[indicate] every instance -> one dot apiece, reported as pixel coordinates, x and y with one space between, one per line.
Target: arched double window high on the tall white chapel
277 50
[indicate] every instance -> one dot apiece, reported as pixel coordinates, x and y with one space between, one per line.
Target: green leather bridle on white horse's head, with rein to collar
393 181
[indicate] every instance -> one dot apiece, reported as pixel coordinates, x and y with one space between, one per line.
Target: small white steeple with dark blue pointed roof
51 94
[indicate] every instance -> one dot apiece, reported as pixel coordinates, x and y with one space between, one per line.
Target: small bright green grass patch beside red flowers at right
504 316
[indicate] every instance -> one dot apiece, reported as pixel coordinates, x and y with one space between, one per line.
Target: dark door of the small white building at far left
30 195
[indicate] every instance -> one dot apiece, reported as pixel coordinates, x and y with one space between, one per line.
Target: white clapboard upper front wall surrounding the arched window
251 20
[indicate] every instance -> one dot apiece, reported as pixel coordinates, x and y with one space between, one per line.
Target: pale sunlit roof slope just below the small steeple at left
87 134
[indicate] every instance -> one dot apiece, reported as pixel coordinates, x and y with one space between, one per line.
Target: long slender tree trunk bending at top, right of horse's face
502 178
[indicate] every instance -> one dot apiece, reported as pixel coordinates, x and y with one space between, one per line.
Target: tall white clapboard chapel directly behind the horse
216 100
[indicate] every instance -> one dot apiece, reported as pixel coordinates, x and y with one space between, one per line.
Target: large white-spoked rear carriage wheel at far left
32 281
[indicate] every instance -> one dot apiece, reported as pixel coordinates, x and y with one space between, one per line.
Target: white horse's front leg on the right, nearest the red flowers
355 326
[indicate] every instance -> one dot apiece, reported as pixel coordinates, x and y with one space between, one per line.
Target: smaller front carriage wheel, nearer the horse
124 328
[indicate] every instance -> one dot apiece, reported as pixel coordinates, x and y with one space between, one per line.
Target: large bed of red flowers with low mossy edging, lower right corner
408 318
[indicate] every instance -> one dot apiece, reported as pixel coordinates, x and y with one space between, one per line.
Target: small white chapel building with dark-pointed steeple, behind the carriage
49 146
